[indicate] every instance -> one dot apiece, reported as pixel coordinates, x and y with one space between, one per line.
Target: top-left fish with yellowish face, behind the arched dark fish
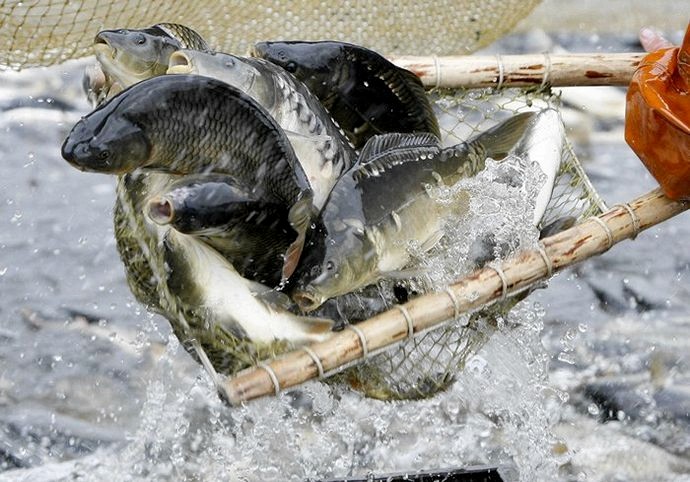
128 56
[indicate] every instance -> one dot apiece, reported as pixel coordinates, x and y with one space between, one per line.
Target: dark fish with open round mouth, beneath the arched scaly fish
247 231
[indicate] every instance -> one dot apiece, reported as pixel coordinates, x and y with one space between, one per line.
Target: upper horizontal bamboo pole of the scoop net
523 70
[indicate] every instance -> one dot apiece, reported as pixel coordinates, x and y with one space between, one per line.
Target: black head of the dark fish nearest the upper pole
309 62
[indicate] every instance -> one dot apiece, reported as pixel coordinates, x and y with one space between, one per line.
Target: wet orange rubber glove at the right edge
657 118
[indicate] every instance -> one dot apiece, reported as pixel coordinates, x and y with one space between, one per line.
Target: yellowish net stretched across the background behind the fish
47 32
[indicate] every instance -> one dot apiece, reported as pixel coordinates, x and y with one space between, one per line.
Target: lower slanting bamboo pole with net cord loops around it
589 238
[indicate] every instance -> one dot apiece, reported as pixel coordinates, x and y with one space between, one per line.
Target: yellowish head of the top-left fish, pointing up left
130 56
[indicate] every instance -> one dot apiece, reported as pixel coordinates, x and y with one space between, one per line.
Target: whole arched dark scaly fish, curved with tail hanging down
190 124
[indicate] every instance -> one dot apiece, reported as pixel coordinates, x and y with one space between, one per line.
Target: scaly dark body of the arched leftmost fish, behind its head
197 124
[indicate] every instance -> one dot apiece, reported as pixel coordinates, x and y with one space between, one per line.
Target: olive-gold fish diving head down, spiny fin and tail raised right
383 205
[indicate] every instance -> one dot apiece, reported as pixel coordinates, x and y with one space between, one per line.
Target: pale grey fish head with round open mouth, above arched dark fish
226 67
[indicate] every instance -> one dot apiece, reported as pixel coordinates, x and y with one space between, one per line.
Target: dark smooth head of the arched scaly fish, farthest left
106 142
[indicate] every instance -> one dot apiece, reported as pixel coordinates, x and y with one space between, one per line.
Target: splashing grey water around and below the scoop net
586 380
